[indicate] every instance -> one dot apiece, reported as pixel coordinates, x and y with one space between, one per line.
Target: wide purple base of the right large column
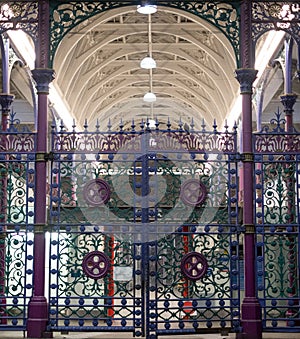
251 320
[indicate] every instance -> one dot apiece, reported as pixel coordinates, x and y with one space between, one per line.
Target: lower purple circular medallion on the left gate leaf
96 264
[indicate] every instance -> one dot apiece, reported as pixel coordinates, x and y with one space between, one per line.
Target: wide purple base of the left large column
38 318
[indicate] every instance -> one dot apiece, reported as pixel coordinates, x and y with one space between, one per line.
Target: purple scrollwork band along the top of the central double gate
170 139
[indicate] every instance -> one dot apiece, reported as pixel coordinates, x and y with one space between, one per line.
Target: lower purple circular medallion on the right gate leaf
194 265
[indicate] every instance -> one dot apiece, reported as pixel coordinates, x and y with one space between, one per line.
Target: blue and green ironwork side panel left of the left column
17 179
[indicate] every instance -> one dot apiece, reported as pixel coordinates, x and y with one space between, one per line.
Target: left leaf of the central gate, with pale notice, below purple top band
92 255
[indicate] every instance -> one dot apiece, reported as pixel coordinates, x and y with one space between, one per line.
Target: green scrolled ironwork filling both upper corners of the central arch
224 15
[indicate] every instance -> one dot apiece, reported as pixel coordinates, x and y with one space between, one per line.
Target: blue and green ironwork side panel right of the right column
277 173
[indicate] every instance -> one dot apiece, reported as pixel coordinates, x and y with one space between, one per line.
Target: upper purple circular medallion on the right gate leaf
193 192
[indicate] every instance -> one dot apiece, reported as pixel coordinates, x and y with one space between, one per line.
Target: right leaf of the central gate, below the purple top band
194 268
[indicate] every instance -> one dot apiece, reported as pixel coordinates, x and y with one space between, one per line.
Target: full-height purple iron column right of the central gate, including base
251 311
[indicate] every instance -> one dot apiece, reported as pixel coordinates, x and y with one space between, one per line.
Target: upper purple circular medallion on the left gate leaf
96 192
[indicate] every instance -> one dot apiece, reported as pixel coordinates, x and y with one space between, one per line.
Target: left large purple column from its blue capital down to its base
38 307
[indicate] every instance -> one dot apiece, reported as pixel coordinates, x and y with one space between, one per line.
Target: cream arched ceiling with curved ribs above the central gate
98 73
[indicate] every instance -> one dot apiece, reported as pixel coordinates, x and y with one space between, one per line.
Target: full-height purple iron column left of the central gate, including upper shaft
38 307
